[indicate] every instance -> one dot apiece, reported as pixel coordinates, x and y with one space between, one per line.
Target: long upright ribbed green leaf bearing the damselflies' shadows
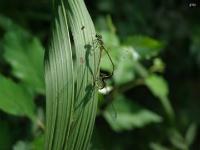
71 95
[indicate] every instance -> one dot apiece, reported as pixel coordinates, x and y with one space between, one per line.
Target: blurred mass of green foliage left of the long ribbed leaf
24 53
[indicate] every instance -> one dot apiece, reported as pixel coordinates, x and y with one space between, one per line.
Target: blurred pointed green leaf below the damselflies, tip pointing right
129 115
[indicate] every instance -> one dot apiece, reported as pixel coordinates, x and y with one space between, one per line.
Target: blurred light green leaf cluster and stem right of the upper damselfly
129 69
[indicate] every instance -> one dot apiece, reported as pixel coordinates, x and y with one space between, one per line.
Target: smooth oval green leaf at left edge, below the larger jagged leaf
15 100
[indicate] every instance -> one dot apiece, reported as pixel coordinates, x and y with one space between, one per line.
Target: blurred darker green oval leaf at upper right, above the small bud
145 46
